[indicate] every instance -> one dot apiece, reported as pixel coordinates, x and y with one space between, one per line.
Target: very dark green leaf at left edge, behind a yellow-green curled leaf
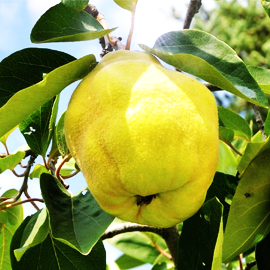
27 67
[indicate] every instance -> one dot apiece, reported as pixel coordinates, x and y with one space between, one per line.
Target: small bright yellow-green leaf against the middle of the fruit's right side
227 162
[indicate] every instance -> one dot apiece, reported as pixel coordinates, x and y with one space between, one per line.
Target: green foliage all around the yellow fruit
68 233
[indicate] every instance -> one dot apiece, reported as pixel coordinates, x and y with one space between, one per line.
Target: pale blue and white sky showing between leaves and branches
17 17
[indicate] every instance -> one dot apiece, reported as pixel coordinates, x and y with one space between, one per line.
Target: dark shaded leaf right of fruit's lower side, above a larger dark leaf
223 187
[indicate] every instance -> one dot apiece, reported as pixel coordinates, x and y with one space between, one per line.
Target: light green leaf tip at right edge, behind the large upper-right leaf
262 76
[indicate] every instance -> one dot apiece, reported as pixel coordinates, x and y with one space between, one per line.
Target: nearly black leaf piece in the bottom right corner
262 254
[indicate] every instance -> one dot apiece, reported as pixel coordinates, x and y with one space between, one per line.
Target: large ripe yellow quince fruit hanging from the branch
137 129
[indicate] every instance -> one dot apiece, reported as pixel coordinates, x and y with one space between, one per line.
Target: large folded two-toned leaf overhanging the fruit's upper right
201 54
